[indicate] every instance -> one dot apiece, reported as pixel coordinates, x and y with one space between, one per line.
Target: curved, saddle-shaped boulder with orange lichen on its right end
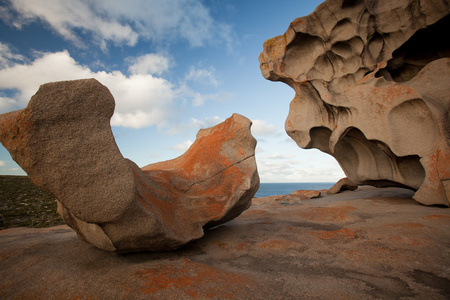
63 140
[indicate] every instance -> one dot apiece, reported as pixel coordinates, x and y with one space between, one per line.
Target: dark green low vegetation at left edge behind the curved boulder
23 204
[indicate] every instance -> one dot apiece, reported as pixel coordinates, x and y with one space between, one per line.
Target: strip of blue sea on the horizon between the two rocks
272 189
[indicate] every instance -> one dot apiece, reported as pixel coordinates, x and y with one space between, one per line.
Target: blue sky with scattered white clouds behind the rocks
173 67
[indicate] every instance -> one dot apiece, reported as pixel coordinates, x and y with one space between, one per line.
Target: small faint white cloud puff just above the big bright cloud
150 63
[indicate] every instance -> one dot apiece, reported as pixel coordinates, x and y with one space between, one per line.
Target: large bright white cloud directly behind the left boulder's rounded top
141 99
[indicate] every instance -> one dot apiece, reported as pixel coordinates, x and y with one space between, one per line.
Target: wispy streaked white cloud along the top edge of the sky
125 22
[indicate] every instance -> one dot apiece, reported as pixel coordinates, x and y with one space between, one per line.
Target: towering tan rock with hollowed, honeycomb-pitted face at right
372 79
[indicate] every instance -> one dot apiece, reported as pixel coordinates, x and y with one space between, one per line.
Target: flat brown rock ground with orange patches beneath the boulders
366 244
